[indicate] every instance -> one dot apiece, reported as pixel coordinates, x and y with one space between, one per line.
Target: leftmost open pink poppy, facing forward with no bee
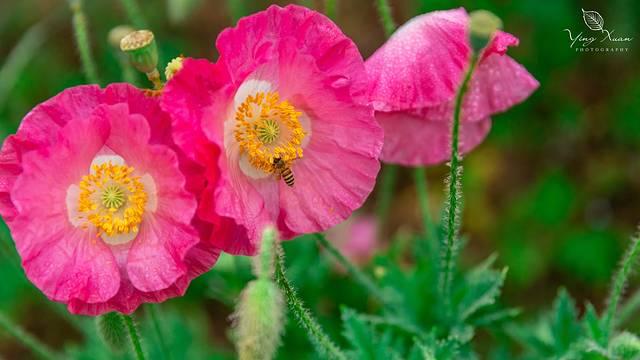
97 204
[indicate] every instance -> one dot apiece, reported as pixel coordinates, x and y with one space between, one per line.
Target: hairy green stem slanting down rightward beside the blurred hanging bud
321 341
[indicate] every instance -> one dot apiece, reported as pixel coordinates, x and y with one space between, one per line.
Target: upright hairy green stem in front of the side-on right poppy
454 193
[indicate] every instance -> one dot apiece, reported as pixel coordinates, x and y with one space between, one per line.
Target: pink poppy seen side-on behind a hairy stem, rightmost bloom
413 79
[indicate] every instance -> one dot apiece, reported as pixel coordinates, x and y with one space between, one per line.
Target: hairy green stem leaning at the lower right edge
619 284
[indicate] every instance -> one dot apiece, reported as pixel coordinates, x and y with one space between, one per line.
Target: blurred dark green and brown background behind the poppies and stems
554 189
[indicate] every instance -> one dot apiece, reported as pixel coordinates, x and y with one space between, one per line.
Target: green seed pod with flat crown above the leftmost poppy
142 50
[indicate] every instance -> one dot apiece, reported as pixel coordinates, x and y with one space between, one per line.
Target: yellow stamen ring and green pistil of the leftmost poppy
112 200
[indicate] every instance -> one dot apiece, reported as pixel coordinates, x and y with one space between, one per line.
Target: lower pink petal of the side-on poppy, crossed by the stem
414 141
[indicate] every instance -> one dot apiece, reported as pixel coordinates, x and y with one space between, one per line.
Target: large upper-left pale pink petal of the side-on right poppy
421 65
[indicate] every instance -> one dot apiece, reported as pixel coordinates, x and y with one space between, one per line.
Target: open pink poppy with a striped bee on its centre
284 96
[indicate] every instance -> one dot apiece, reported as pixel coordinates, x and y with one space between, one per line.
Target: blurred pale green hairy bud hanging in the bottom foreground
259 316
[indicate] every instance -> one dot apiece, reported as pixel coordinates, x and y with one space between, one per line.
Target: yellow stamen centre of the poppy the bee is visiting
267 128
